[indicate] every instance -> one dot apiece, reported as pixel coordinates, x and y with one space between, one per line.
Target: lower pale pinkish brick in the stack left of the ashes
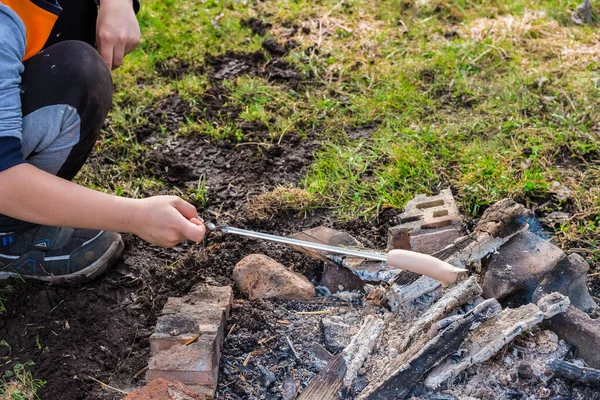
195 364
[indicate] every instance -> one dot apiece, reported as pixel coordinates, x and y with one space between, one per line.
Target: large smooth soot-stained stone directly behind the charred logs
519 266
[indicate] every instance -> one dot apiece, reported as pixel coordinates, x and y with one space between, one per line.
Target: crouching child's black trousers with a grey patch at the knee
66 93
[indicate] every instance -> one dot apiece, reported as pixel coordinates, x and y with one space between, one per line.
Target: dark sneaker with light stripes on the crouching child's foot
58 255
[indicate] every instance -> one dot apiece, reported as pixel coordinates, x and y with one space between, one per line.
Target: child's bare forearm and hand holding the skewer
30 194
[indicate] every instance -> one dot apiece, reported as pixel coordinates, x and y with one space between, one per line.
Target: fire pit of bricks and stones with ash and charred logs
514 326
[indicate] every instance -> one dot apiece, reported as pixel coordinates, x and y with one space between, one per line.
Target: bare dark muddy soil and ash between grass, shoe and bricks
101 330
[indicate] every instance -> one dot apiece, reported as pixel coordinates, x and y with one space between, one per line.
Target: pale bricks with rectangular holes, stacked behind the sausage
427 225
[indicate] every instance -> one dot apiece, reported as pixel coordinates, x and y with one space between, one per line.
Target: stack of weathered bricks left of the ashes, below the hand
201 313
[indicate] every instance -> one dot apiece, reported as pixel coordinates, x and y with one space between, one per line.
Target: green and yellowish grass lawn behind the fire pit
486 97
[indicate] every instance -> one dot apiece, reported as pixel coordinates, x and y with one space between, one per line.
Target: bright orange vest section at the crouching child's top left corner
39 17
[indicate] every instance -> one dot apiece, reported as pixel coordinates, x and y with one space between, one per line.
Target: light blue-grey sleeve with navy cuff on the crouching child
12 49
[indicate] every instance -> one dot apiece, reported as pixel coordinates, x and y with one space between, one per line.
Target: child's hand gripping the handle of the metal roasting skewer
167 221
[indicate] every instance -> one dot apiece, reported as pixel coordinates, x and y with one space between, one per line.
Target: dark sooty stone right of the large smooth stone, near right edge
569 278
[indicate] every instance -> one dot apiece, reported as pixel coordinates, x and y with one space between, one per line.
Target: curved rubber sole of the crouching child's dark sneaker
87 274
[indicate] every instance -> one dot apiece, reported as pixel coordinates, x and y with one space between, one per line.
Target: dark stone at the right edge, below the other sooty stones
578 329
